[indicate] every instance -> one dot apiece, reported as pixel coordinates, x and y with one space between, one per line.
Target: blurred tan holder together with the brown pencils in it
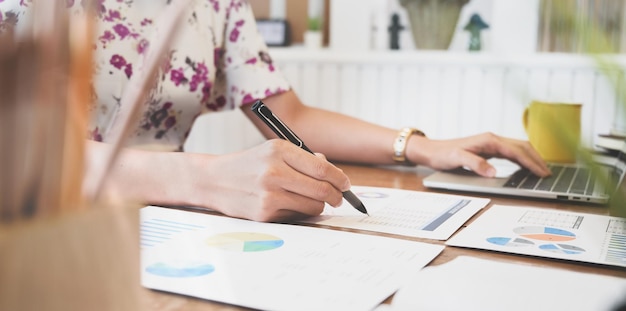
58 251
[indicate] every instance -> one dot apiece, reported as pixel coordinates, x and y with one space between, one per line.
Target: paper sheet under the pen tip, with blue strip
403 212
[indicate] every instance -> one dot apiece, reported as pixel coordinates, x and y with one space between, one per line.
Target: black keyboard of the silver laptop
564 179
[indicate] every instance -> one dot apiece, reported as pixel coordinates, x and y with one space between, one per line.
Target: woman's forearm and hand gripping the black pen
272 181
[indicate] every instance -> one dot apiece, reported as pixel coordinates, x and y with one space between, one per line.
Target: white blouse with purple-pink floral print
218 61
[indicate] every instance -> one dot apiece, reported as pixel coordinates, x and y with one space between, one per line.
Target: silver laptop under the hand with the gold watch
568 182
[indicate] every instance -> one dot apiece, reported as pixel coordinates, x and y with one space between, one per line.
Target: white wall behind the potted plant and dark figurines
359 25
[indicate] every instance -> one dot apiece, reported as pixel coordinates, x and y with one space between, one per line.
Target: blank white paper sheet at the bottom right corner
467 283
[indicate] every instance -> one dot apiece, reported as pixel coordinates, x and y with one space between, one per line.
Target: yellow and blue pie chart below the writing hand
245 241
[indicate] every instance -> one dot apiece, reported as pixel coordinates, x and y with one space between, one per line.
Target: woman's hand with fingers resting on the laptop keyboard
472 152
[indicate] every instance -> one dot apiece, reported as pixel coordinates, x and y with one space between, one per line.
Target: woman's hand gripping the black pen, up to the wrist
270 182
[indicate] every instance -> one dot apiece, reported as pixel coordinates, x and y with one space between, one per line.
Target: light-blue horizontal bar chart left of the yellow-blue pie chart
156 231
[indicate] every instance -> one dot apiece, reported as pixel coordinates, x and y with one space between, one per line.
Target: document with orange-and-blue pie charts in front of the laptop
547 233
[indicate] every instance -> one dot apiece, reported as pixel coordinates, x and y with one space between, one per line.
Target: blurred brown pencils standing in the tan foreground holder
44 81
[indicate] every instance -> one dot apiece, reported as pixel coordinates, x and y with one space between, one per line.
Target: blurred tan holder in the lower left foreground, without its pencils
87 260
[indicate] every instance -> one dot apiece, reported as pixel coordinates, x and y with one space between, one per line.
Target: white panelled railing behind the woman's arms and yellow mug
445 94
